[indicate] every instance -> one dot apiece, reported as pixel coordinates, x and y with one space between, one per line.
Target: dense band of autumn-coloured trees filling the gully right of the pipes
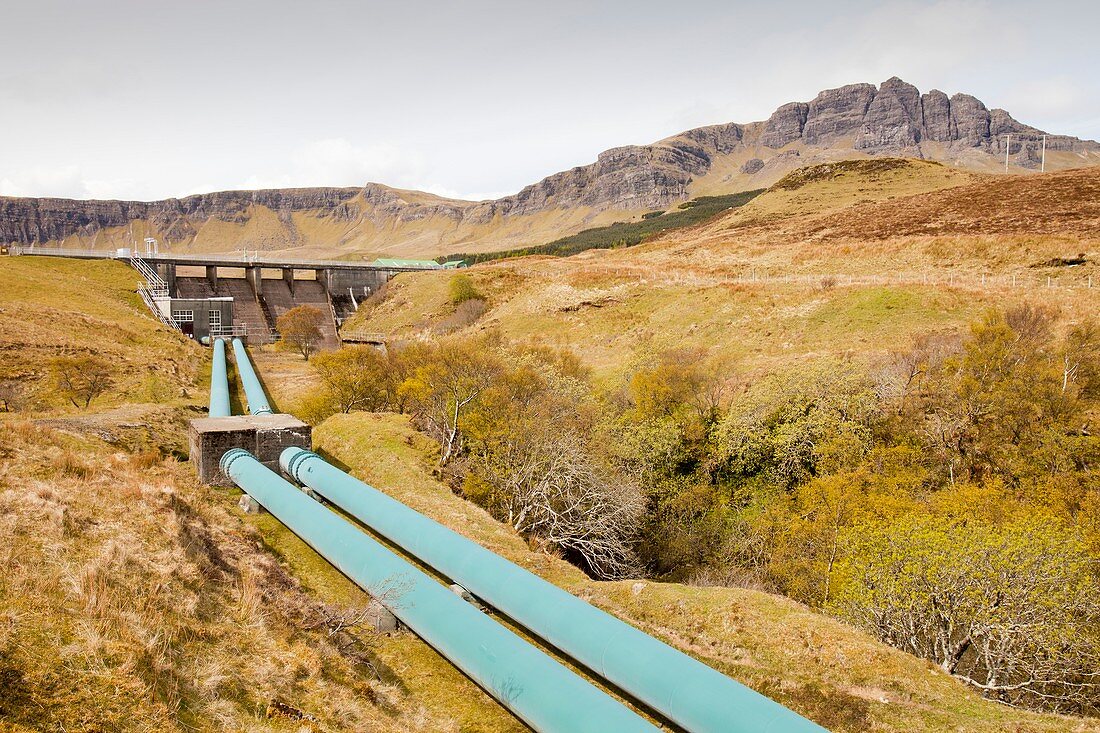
944 499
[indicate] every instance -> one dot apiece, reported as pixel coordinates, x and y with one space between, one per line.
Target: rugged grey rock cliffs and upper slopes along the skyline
861 119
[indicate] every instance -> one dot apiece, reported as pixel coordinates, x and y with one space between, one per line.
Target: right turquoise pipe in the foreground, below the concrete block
687 692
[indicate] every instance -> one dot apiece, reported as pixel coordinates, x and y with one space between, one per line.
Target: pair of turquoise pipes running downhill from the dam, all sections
535 687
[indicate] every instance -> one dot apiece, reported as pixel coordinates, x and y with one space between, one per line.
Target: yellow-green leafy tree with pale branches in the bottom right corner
1013 608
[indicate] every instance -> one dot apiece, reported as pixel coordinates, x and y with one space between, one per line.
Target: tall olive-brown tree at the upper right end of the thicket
1009 397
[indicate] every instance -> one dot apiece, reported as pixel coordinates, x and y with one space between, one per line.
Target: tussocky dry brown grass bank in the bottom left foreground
129 601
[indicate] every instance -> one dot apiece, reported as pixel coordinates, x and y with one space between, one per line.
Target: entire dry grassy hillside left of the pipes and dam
135 599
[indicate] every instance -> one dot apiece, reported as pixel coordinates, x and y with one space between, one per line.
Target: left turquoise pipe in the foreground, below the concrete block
535 687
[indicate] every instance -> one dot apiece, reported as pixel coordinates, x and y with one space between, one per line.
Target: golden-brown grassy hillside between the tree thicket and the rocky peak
826 282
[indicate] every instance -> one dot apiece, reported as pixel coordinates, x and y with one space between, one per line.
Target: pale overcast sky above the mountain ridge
150 100
